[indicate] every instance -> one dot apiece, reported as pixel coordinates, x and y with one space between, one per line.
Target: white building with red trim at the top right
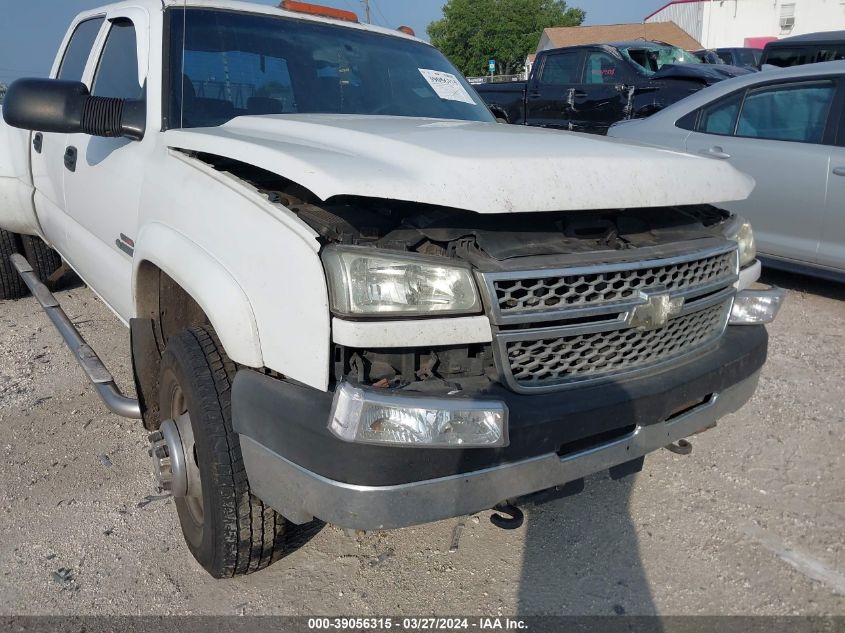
727 23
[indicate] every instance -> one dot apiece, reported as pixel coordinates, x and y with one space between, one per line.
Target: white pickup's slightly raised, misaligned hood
482 167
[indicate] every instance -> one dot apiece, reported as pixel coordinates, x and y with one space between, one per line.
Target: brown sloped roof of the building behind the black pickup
661 31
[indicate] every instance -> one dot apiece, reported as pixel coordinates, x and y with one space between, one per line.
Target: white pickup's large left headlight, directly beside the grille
368 282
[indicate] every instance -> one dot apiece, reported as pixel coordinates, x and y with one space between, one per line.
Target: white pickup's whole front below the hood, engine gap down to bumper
478 358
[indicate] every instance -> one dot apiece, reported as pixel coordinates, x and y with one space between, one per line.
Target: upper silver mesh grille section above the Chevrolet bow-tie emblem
521 296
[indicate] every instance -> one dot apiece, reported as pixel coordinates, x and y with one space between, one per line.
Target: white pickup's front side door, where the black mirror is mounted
103 181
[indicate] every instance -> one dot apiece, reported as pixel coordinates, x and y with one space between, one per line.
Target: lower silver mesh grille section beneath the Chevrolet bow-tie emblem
544 362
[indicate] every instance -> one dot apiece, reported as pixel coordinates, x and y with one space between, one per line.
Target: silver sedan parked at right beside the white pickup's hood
786 128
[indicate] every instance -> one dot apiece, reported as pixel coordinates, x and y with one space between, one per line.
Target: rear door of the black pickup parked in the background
548 102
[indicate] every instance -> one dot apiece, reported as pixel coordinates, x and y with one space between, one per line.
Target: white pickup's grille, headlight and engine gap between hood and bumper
569 296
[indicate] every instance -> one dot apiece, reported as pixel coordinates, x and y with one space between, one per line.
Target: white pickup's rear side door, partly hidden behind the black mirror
48 149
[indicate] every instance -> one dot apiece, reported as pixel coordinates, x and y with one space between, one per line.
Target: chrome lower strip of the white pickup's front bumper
301 495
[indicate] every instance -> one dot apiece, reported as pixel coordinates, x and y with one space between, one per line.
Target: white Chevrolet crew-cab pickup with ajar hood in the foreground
353 296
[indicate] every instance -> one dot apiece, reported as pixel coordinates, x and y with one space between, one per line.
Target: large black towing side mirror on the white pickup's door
66 107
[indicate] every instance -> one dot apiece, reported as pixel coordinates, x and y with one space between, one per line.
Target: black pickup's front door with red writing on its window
602 98
